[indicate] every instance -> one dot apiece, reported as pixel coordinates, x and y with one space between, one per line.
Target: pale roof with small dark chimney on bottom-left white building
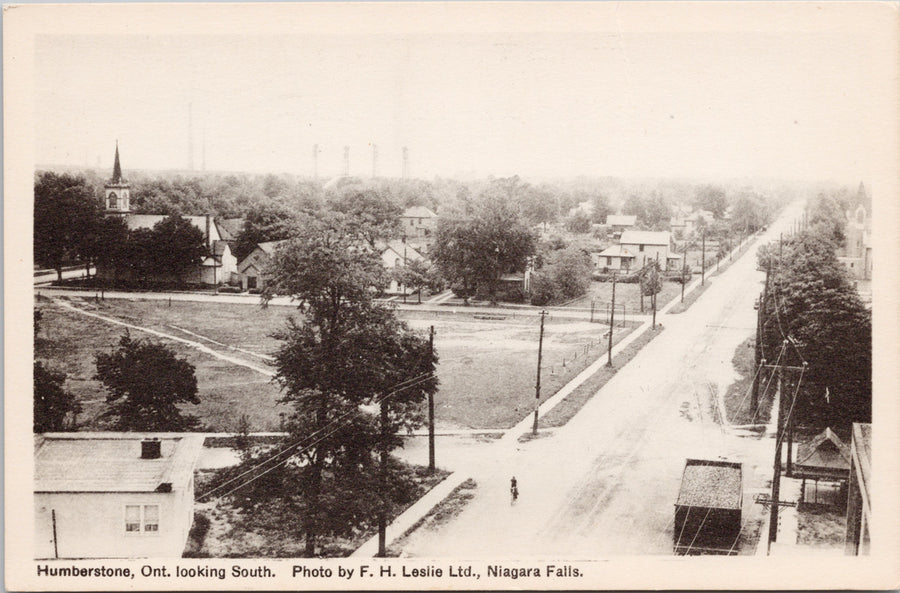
111 462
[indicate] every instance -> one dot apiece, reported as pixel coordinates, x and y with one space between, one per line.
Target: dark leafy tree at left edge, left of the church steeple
65 212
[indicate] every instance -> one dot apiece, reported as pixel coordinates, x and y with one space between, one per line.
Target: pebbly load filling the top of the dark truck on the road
711 484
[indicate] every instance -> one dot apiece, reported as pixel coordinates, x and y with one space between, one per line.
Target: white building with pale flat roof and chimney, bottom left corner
113 495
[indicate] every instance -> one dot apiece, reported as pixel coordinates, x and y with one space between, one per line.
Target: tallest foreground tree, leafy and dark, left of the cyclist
347 352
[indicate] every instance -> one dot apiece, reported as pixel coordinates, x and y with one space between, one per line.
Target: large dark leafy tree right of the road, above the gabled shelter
814 315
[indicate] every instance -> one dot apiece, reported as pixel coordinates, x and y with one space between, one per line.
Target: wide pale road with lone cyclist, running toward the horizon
605 483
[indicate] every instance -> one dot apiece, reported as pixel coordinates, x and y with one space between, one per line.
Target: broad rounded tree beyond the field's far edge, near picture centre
480 249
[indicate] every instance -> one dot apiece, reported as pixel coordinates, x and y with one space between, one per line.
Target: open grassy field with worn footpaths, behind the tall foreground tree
487 368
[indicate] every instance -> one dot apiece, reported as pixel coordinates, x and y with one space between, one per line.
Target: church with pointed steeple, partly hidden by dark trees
218 267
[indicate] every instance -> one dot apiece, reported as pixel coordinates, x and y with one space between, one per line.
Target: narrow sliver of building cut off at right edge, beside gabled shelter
859 506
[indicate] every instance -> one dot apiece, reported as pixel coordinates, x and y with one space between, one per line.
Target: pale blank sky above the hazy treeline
784 101
